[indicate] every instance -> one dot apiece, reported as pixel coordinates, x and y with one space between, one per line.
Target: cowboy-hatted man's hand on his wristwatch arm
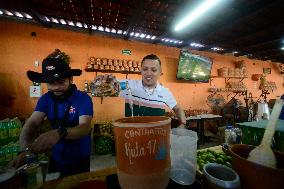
45 141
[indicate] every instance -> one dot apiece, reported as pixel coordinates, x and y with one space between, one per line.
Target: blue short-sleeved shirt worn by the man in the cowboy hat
79 103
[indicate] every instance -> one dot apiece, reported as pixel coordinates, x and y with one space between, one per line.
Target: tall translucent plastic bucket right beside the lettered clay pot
183 156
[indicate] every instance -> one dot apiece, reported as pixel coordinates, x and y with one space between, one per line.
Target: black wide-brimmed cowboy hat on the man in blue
53 69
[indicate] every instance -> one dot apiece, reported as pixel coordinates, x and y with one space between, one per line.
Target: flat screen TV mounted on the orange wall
193 67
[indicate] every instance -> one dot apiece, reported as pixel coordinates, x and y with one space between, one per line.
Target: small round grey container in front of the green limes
217 176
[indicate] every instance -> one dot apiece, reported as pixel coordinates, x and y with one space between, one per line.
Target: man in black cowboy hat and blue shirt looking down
70 112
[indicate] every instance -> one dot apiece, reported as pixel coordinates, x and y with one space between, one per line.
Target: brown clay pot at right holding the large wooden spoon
255 176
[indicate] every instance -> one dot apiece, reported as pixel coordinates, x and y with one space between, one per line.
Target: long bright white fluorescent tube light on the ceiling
192 16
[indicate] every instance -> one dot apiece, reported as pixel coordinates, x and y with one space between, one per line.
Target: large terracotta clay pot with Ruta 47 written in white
142 152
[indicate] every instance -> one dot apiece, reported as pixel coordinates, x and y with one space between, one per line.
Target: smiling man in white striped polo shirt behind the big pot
147 96
